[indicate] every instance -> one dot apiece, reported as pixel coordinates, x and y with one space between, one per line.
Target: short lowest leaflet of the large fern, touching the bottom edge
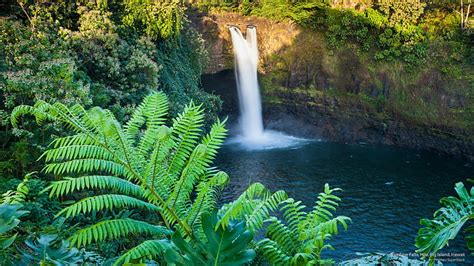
150 249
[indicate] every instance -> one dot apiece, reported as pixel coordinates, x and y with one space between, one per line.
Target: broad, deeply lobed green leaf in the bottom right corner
447 223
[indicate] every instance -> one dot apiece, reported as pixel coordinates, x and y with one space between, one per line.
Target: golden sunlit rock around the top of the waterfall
214 27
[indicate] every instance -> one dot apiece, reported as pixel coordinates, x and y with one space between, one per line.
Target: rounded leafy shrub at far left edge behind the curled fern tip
34 66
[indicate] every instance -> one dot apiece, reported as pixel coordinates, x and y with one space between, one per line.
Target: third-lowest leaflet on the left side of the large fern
105 202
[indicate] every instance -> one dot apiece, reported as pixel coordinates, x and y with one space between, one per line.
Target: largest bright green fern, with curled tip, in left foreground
144 164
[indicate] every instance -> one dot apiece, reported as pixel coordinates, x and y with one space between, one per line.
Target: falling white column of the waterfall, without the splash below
246 63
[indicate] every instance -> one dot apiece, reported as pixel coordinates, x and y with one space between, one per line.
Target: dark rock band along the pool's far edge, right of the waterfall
331 118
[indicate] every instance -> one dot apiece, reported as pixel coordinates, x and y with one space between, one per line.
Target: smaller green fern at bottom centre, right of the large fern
300 237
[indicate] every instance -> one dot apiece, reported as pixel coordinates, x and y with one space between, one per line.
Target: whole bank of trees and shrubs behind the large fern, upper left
77 52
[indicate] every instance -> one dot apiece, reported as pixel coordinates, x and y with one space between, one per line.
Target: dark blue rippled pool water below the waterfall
386 190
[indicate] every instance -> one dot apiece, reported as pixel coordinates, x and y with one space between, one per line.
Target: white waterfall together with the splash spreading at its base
252 135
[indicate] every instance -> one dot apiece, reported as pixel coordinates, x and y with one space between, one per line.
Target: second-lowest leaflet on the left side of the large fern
114 229
